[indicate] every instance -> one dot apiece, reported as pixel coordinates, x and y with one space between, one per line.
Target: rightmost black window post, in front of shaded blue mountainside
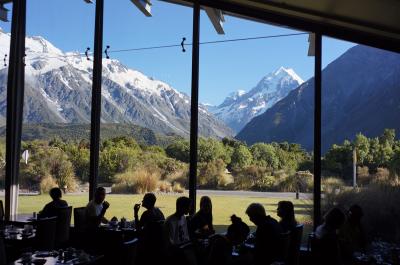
317 129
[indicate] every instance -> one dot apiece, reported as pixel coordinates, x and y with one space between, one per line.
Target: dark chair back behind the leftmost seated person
46 233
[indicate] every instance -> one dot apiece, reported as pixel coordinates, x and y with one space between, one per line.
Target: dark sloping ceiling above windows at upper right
371 22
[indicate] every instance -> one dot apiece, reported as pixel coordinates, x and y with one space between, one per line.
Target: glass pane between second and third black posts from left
145 106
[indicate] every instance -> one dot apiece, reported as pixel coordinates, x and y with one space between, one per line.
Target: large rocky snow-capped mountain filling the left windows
58 90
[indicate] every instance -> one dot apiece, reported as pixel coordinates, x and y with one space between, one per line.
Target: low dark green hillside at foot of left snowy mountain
77 132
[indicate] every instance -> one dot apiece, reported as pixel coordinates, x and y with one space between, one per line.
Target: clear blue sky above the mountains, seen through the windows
227 67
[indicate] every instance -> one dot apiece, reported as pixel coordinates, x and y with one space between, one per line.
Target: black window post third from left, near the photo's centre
194 108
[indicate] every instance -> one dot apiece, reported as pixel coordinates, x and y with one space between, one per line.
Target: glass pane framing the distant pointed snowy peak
255 88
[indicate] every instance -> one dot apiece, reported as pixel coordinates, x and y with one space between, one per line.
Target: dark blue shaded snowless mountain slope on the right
360 93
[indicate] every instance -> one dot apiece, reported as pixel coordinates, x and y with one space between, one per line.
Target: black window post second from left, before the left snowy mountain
96 98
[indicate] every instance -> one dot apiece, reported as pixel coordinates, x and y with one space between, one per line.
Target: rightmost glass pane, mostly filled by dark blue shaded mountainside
360 146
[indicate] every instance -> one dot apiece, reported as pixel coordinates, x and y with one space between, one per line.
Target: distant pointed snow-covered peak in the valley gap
240 107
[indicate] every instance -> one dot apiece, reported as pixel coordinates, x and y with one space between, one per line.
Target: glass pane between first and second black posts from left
58 82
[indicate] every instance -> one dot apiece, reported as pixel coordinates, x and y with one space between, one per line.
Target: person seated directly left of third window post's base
176 225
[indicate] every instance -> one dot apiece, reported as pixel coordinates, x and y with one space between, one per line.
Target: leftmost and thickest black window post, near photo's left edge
15 104
